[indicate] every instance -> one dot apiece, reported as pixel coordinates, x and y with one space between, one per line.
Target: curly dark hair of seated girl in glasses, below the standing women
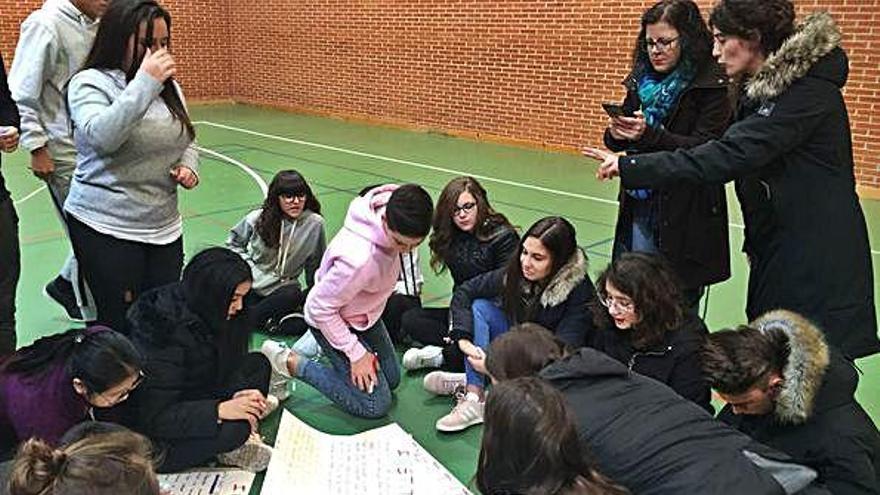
649 281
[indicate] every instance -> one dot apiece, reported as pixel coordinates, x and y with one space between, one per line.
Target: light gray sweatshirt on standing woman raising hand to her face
127 142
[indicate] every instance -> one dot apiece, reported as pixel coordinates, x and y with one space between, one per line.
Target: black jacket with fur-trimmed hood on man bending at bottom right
816 419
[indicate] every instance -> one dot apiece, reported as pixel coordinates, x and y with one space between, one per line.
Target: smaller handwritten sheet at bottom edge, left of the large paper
208 482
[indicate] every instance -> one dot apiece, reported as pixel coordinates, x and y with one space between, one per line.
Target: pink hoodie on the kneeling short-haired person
356 276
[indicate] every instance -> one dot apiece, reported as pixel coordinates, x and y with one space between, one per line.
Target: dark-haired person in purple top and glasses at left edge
53 384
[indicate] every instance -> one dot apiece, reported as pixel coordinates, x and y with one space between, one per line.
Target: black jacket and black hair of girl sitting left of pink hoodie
190 348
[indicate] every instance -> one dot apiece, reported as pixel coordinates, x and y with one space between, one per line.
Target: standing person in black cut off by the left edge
9 247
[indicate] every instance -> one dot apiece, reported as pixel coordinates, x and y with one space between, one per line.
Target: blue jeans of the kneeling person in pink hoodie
335 381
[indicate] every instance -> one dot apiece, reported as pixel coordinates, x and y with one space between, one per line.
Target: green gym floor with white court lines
245 146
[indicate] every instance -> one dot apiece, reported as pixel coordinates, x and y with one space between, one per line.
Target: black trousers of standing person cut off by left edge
10 268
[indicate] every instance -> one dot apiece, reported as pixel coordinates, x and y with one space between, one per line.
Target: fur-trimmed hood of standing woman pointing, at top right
813 49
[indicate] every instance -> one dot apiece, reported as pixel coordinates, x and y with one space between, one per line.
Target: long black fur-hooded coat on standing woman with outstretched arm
790 153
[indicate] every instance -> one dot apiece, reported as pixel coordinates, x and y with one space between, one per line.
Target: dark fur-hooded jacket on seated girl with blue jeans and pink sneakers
563 306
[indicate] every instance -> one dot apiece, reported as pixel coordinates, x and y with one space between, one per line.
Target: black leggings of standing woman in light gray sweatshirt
119 271
